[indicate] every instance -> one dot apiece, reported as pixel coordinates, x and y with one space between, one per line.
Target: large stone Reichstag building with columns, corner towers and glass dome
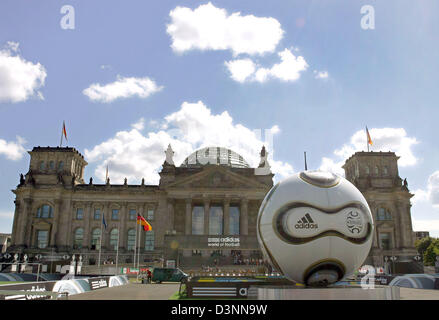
202 211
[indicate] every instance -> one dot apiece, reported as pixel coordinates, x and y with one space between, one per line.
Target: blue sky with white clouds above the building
384 78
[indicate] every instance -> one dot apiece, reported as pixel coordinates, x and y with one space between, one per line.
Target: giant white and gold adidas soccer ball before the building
315 227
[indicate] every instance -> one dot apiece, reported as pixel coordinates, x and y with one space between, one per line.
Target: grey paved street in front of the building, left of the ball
132 291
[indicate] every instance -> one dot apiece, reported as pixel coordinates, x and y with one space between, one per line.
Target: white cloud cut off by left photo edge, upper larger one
19 79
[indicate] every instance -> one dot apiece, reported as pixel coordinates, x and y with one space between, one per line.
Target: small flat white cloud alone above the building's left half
123 87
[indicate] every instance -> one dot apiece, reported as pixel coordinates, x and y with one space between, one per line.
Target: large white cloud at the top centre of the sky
210 28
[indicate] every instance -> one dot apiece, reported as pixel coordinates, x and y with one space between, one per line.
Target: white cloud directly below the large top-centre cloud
288 69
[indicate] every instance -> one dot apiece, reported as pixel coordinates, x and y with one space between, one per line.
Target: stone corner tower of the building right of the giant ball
376 175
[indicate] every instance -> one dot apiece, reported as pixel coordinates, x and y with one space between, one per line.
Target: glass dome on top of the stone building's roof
215 155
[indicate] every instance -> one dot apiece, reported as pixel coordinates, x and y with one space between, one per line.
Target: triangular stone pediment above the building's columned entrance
216 177
